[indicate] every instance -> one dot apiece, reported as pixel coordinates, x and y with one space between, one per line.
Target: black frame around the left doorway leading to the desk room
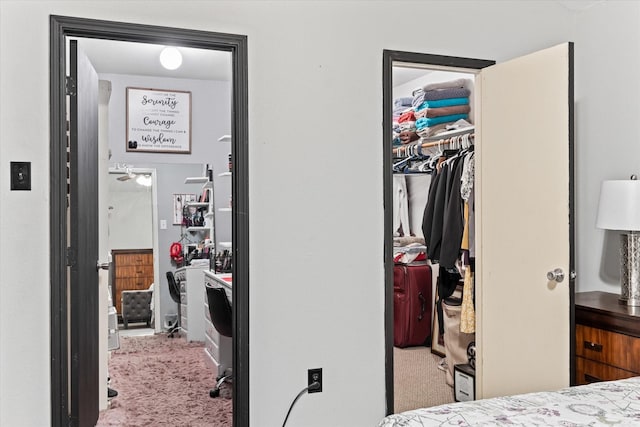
62 27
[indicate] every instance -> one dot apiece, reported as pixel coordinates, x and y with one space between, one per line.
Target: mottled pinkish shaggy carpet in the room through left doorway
164 381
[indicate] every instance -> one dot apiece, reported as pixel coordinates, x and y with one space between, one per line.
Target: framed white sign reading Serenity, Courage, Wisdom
158 120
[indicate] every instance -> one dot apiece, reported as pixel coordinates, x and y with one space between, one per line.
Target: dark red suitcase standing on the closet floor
412 303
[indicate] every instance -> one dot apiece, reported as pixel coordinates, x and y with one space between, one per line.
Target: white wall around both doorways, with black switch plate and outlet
315 184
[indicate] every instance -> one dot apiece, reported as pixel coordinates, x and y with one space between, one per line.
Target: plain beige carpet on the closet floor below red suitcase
418 383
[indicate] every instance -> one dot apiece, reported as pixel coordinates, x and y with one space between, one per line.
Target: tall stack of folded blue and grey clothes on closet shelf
438 105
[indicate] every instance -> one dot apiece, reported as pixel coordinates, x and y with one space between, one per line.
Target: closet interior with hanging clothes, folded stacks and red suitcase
433 229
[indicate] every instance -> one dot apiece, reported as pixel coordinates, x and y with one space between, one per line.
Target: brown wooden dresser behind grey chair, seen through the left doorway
133 270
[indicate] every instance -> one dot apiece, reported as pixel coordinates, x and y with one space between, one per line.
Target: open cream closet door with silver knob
524 212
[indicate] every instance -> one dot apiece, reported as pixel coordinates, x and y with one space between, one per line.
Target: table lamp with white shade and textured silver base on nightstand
619 209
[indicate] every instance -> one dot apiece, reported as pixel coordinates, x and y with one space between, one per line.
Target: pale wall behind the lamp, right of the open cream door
607 65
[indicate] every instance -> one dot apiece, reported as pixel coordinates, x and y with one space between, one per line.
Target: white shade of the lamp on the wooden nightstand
619 207
